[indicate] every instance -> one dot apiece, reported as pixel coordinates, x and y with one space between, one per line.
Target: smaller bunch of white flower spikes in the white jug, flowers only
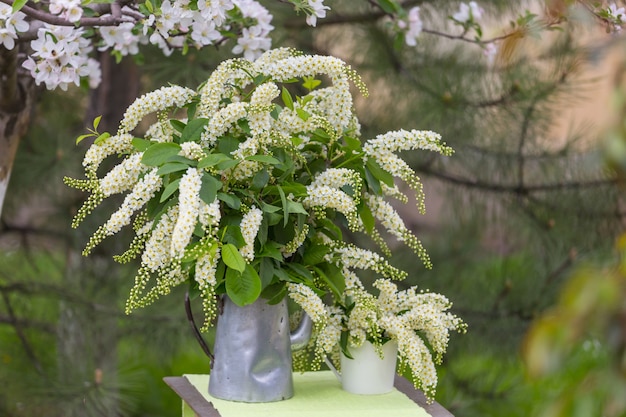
419 322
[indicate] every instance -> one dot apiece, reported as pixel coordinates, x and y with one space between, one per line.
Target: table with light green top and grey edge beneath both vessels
316 394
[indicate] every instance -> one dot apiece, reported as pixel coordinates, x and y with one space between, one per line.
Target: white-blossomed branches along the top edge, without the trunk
62 34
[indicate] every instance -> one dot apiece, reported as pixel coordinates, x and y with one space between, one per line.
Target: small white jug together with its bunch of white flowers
368 333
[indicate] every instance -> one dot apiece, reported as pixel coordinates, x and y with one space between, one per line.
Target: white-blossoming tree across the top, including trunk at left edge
53 43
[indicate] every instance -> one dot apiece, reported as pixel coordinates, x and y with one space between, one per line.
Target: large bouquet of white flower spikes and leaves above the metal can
246 186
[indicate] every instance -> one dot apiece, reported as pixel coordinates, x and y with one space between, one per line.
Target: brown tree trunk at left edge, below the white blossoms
17 101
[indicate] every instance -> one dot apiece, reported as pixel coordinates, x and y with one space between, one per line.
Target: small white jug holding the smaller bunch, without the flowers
367 373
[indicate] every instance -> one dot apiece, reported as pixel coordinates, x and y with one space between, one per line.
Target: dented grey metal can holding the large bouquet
252 351
